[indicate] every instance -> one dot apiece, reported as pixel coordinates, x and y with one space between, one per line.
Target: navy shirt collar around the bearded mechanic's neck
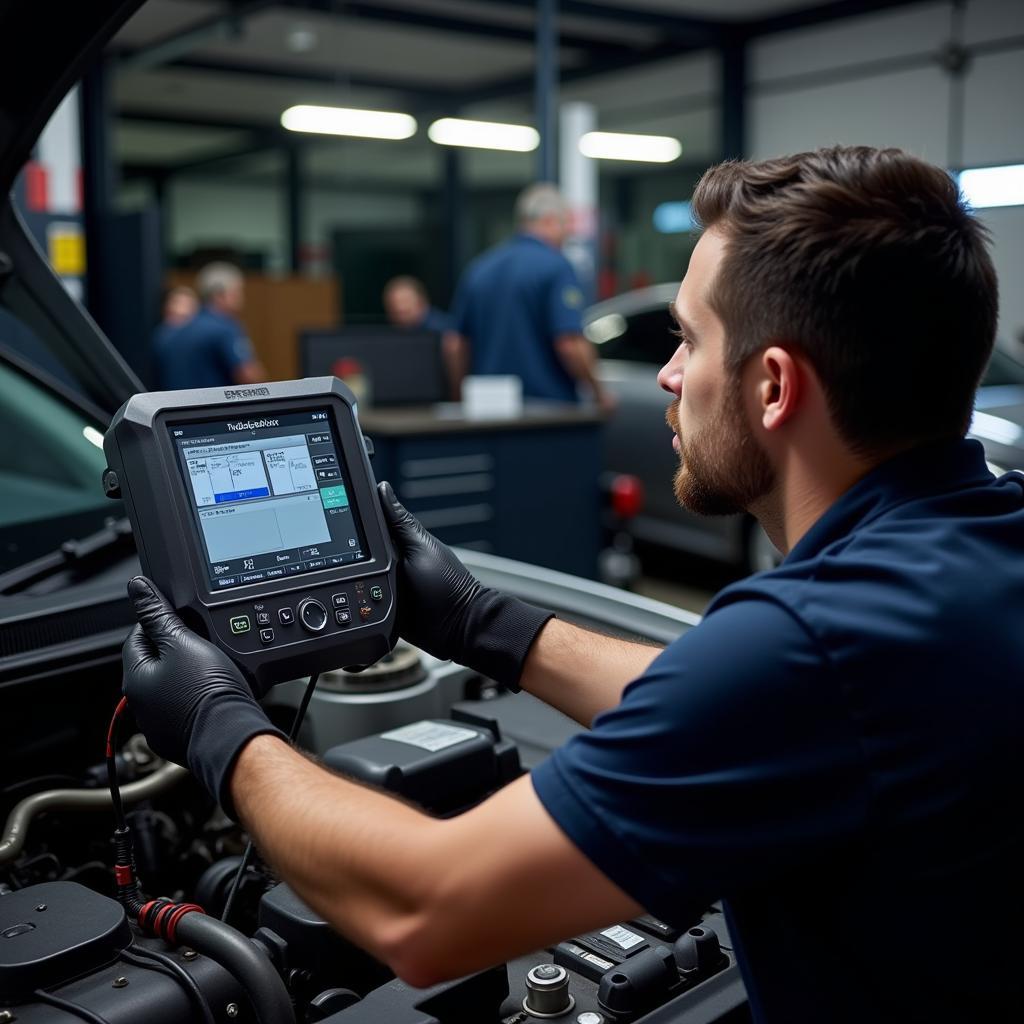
929 470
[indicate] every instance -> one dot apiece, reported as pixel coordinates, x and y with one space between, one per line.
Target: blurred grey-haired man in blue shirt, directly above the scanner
210 350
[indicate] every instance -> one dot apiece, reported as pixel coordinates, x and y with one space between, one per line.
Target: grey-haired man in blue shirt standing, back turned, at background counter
519 309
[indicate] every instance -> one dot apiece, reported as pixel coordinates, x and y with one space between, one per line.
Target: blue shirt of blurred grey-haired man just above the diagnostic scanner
206 352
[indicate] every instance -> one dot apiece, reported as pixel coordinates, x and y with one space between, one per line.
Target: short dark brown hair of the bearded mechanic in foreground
872 265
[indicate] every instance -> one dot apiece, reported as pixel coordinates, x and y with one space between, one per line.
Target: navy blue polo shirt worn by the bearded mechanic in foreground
837 752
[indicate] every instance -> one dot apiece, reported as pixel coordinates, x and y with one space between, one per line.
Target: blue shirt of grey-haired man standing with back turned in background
511 306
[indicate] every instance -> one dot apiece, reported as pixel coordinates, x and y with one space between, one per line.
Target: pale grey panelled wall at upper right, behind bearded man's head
878 80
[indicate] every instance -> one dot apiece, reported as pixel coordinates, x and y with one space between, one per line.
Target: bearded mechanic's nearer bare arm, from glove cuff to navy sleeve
435 900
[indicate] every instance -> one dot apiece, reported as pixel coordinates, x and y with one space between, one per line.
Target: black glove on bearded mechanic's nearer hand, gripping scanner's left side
188 697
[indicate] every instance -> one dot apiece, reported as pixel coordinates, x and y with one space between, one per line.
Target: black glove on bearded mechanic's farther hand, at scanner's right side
447 612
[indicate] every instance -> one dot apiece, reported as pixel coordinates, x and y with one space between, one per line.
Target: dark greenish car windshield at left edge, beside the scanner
51 466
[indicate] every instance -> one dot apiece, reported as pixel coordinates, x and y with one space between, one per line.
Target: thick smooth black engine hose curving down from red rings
245 961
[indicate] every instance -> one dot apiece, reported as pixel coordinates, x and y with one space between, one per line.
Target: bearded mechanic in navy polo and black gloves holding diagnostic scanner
835 751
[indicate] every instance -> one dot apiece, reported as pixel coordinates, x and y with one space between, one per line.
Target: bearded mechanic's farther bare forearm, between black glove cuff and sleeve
582 673
